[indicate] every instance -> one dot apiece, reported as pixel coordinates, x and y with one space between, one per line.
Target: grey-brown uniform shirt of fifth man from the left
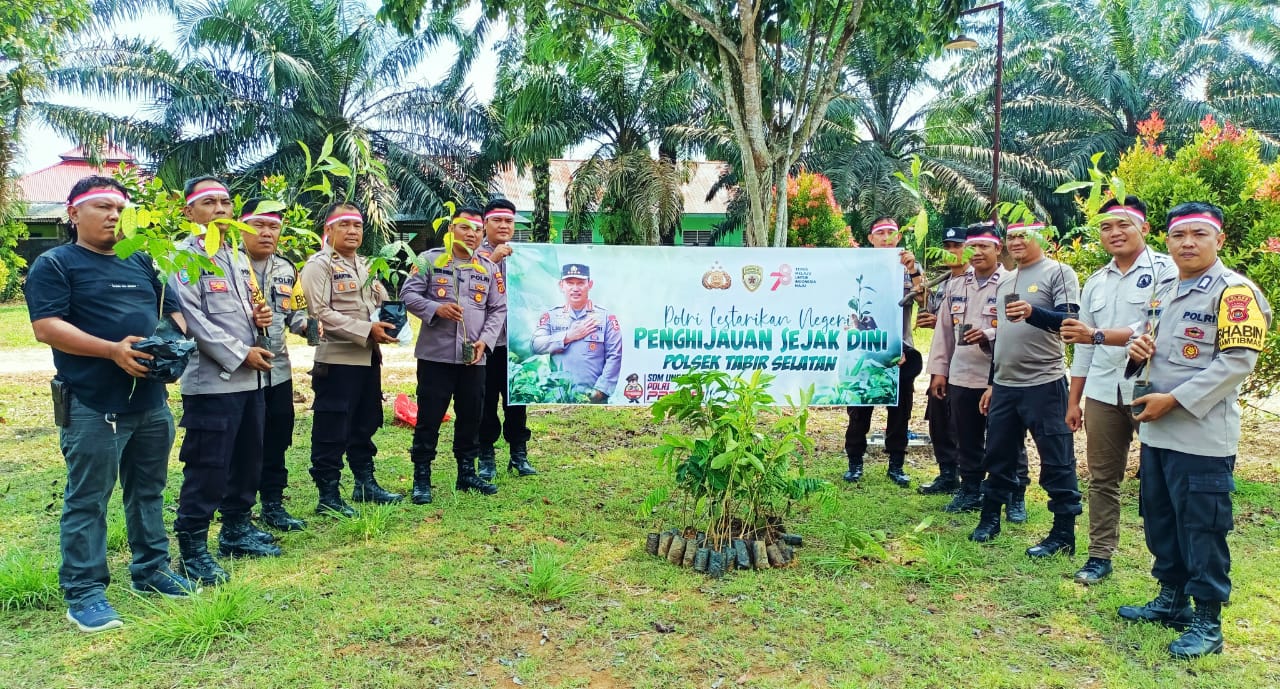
484 308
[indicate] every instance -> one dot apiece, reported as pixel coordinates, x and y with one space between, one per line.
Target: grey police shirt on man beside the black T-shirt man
221 321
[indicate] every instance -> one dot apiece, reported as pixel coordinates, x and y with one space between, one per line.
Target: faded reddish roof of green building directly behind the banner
518 186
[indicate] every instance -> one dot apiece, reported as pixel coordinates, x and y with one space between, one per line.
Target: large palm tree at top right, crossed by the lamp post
1080 76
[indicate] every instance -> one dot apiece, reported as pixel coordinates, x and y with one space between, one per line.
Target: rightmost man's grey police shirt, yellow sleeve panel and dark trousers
1209 335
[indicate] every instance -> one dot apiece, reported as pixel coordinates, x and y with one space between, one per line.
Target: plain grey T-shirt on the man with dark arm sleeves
1025 355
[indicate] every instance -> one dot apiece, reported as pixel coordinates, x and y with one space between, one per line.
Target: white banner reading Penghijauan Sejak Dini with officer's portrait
614 325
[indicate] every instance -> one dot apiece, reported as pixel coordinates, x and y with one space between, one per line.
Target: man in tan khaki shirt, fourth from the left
348 376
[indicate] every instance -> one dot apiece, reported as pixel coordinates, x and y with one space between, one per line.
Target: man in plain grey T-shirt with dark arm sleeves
1030 390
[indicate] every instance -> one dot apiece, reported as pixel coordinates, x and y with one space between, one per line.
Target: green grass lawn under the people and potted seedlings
444 595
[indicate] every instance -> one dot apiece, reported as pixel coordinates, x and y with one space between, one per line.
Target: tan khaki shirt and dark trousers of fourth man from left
348 375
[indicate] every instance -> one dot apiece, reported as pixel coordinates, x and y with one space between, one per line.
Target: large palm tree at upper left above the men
254 77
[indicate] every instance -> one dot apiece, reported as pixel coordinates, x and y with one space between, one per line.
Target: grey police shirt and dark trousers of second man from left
222 399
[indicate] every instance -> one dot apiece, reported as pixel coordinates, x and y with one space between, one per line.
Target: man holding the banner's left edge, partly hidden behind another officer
500 223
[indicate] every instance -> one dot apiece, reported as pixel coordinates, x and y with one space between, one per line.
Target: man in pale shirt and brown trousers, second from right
1114 305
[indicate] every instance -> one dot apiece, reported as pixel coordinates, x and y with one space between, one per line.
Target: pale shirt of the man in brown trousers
1118 300
